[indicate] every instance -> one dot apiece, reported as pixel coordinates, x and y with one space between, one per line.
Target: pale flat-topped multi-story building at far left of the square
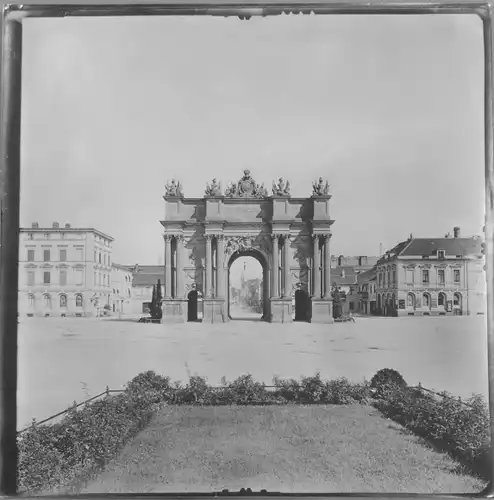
63 271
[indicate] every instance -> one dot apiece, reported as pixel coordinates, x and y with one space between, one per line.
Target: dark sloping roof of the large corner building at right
429 246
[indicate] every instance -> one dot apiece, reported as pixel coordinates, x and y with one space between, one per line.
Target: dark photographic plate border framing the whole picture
12 17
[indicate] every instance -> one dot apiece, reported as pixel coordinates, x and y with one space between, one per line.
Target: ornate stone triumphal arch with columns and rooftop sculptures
290 237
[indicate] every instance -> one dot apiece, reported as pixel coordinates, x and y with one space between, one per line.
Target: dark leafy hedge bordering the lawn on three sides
57 457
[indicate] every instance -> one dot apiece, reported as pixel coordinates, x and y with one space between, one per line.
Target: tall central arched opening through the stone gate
248 283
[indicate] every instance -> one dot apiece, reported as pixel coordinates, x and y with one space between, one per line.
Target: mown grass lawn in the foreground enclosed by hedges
280 448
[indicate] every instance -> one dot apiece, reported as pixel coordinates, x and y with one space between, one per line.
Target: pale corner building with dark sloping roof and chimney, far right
432 276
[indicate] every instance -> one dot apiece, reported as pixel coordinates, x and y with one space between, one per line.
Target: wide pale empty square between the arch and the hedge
62 360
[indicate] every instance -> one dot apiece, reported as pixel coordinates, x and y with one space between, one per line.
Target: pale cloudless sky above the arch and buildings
389 109
